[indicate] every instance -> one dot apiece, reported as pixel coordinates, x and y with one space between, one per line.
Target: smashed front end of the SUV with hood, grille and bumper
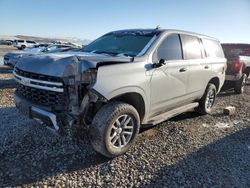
57 91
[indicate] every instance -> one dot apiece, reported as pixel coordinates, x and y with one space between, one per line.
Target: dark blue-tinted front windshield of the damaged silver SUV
129 43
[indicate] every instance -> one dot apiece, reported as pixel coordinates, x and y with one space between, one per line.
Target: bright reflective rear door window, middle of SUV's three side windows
191 46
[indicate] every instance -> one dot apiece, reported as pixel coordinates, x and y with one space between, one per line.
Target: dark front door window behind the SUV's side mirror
170 48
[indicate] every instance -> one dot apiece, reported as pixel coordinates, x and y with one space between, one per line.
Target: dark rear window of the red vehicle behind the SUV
235 50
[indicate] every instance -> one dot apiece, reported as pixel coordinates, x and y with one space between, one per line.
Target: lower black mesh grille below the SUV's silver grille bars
43 97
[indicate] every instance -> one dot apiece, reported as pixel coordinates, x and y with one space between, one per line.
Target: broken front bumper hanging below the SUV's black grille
57 120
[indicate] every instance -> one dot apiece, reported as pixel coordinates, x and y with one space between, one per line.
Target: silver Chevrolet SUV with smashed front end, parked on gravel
120 82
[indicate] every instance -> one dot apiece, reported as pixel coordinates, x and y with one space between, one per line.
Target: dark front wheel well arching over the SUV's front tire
133 99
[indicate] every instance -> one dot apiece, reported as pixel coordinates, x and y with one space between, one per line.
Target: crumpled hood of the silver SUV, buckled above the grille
66 64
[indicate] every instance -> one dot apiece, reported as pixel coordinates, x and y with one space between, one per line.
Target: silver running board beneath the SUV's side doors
169 114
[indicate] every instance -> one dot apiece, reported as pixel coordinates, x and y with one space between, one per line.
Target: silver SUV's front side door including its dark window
169 82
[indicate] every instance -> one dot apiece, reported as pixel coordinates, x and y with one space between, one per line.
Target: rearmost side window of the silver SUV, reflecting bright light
213 48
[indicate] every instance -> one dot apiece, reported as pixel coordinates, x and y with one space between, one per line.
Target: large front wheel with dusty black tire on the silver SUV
103 125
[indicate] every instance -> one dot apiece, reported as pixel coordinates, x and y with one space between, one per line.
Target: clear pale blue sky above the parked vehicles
227 20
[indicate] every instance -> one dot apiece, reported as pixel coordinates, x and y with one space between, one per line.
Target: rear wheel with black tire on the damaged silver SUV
204 107
